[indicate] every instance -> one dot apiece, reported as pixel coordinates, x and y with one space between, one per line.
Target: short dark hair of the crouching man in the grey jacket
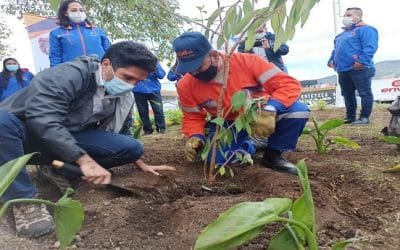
130 53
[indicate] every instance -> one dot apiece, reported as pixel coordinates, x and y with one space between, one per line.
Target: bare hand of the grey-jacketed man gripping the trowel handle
92 171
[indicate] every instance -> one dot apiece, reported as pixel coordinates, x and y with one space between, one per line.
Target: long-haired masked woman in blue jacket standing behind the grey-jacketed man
76 36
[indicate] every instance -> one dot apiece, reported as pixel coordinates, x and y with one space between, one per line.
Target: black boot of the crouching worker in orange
273 159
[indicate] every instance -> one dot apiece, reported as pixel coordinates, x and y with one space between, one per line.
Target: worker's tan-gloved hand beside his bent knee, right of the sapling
264 125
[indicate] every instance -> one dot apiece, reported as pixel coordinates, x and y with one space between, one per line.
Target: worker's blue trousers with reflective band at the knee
289 126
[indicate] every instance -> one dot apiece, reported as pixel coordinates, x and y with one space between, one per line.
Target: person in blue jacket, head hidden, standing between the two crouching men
147 91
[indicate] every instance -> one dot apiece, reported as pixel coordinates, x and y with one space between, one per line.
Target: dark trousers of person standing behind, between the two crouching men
142 102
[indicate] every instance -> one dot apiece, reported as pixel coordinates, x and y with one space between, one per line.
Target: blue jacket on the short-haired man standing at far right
356 44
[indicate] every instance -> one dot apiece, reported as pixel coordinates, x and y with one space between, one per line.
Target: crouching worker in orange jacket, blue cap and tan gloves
281 119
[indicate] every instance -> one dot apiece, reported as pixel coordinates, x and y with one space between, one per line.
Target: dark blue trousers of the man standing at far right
359 80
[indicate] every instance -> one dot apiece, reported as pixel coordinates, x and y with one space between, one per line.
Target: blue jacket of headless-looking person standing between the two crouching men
151 84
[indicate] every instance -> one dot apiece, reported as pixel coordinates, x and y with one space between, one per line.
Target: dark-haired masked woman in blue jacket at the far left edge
13 78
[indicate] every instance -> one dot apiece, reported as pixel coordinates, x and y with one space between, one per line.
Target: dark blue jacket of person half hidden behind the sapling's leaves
274 57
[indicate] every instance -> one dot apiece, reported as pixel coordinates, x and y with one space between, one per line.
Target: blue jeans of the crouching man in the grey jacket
107 148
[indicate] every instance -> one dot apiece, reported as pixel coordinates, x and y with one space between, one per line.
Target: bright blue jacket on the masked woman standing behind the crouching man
68 43
